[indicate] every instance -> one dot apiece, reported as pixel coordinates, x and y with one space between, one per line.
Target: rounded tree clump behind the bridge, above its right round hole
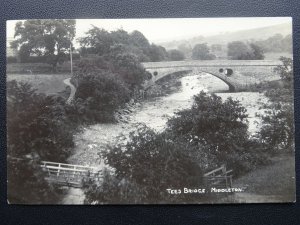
238 50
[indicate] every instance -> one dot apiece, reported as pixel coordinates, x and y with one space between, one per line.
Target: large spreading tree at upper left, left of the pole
49 38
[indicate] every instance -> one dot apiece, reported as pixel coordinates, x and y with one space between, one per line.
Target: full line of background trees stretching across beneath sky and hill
50 41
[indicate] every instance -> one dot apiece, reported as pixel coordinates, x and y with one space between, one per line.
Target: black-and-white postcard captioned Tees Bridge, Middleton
150 111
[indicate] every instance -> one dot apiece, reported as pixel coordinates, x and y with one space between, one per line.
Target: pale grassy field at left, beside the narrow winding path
44 83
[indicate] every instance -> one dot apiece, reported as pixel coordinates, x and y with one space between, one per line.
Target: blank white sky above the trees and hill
160 30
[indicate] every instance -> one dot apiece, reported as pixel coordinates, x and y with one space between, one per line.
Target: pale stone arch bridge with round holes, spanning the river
237 74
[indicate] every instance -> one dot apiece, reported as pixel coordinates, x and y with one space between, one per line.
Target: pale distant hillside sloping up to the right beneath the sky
243 35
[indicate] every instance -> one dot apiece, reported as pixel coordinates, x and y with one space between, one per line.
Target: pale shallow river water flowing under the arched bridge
155 113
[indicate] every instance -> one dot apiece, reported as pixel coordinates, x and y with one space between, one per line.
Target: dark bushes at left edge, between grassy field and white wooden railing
37 123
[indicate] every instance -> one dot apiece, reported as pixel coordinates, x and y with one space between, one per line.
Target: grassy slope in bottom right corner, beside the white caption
271 183
